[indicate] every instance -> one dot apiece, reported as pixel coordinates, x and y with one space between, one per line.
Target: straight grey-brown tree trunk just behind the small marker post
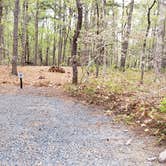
15 38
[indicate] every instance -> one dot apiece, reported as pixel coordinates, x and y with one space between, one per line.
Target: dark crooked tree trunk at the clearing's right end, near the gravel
75 39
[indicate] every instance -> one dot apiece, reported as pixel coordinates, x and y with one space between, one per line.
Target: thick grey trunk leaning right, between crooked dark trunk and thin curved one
126 35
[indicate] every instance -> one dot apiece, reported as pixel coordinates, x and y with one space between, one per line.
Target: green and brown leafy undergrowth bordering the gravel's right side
136 104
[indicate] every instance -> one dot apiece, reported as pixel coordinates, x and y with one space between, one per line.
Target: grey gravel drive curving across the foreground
49 131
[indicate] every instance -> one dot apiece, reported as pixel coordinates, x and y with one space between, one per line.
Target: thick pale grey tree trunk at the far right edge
159 42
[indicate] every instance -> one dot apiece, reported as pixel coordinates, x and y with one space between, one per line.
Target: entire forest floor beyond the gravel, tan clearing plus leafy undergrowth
119 94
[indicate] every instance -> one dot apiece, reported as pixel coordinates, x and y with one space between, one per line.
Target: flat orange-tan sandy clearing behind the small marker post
35 76
